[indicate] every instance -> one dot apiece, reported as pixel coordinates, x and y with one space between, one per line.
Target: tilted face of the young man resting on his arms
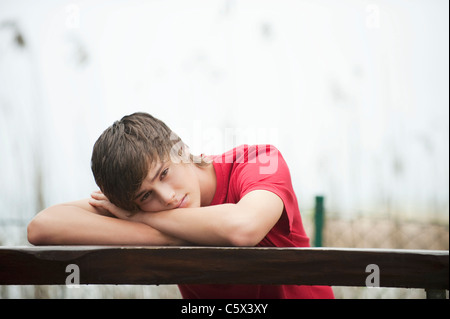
169 185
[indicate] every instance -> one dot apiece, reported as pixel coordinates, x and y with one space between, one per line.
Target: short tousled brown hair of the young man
124 153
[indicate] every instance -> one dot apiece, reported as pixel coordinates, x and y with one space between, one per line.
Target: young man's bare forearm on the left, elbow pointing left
75 225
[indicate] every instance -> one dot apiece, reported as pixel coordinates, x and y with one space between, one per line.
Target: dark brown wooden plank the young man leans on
219 265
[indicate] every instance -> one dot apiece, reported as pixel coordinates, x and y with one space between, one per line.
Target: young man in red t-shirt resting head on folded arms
153 192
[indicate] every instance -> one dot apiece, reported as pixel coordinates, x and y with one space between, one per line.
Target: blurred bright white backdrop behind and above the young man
353 93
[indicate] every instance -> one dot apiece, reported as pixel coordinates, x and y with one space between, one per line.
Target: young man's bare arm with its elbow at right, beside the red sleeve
243 224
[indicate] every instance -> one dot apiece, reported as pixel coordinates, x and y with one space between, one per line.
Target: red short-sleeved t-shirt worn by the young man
240 171
